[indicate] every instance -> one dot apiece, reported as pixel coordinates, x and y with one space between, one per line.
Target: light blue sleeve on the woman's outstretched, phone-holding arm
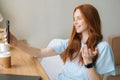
59 45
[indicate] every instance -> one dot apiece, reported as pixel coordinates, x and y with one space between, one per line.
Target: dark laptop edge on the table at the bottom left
19 77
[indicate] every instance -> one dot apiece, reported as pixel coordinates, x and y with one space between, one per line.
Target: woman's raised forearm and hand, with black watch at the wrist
87 55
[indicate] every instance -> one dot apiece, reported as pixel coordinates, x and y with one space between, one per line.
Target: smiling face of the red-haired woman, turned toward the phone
79 22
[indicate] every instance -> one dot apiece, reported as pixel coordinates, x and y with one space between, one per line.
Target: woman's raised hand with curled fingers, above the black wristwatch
88 55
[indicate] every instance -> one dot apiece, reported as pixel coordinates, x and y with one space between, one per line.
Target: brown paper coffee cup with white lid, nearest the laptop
5 59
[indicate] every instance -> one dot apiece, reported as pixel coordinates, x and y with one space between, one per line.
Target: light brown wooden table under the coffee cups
24 64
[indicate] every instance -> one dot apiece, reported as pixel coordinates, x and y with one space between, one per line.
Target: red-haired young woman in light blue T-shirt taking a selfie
85 55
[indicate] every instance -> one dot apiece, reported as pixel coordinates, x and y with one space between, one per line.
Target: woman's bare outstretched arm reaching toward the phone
24 46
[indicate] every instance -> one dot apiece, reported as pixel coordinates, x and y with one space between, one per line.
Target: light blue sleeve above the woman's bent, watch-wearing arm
105 61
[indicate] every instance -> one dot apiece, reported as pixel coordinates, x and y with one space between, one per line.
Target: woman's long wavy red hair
92 19
